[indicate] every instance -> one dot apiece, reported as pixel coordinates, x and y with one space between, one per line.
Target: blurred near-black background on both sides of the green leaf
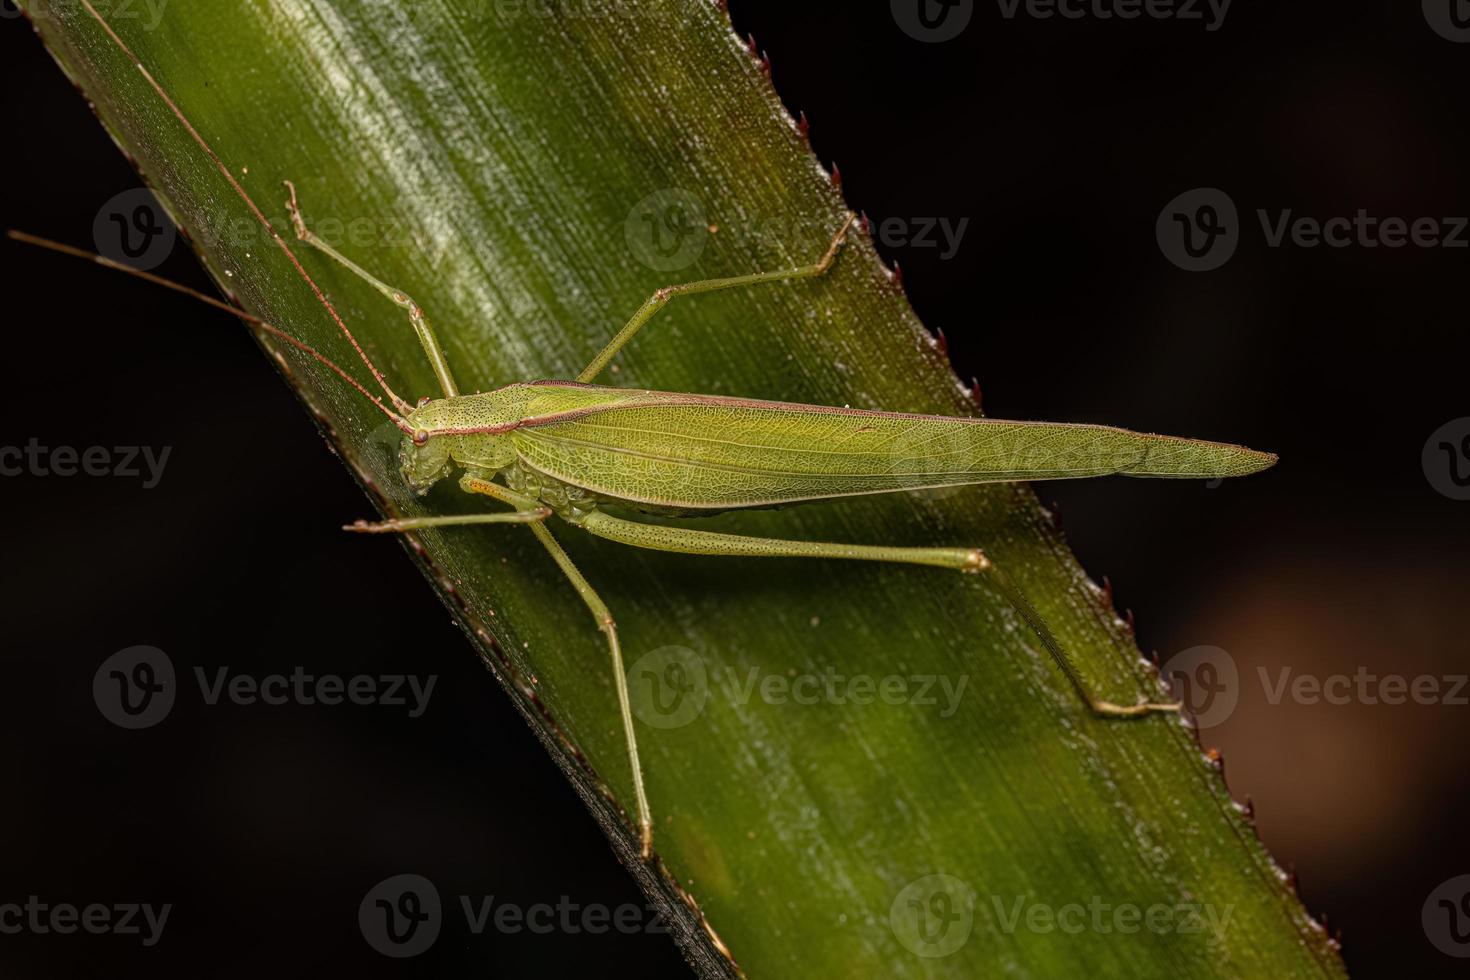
1061 142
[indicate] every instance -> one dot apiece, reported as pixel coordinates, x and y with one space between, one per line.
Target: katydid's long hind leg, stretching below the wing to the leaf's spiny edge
969 561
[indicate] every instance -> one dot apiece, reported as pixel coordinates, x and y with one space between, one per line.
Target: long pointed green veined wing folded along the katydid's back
709 453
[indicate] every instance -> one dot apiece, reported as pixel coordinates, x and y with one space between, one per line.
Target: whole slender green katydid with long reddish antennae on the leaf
589 455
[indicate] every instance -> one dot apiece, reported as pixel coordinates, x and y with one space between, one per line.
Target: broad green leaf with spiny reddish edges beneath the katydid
531 174
